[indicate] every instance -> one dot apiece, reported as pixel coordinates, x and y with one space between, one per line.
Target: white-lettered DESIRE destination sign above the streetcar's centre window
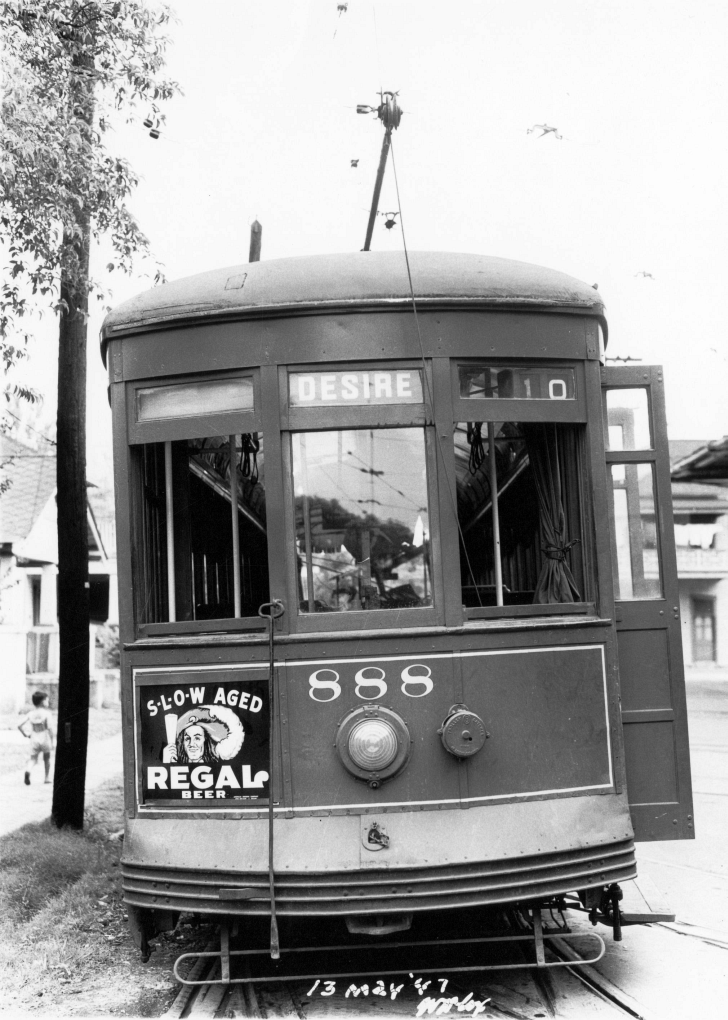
393 386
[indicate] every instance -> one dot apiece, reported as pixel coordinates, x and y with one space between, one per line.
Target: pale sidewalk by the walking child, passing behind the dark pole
22 804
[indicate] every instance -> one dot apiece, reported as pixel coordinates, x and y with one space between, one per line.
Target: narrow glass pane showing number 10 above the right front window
516 383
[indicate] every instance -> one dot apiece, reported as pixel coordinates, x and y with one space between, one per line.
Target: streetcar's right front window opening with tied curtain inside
540 550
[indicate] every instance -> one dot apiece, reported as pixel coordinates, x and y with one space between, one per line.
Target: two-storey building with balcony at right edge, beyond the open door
700 493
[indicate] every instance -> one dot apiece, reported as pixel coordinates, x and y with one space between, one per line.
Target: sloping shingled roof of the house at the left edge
32 477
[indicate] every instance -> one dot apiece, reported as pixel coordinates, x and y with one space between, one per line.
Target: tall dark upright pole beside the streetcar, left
70 778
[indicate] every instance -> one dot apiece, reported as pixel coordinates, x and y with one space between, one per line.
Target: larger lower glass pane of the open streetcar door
636 545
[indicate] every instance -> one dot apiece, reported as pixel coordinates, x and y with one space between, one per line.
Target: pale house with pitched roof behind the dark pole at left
29 568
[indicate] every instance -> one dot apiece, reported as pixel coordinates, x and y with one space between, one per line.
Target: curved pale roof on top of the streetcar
352 281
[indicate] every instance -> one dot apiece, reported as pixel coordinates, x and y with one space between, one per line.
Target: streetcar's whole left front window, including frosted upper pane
200 522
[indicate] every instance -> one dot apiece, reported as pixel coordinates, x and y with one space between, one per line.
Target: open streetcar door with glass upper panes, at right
647 604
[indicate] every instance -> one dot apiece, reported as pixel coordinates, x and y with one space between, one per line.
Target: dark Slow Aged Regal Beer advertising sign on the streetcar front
203 737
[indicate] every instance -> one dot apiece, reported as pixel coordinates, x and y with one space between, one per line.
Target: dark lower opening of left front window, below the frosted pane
205 577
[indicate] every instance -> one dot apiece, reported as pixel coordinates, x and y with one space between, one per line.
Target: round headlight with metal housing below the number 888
374 744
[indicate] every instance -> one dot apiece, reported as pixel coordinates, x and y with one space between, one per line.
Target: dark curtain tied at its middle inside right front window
556 582
